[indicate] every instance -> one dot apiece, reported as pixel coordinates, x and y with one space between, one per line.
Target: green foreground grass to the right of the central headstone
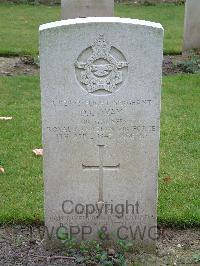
179 199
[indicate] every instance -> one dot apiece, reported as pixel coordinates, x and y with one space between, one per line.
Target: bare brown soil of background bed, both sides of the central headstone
11 66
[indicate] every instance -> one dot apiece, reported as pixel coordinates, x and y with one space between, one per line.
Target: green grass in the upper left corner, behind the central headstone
19 27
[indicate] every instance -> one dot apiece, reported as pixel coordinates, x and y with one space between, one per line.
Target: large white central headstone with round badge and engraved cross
101 81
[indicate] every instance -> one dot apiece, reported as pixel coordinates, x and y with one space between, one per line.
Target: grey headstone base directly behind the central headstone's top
86 8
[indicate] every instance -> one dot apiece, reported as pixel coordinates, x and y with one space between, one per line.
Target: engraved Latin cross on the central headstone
101 168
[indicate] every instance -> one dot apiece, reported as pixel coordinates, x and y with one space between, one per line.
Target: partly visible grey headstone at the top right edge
192 25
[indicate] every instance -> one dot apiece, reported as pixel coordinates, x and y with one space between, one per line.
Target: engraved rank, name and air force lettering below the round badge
113 124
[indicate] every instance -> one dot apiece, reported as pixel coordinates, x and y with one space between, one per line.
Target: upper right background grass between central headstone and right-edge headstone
170 16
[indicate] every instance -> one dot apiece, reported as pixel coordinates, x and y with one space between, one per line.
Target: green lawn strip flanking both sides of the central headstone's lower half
21 198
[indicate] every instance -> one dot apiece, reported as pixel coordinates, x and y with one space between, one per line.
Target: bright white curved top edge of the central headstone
100 20
